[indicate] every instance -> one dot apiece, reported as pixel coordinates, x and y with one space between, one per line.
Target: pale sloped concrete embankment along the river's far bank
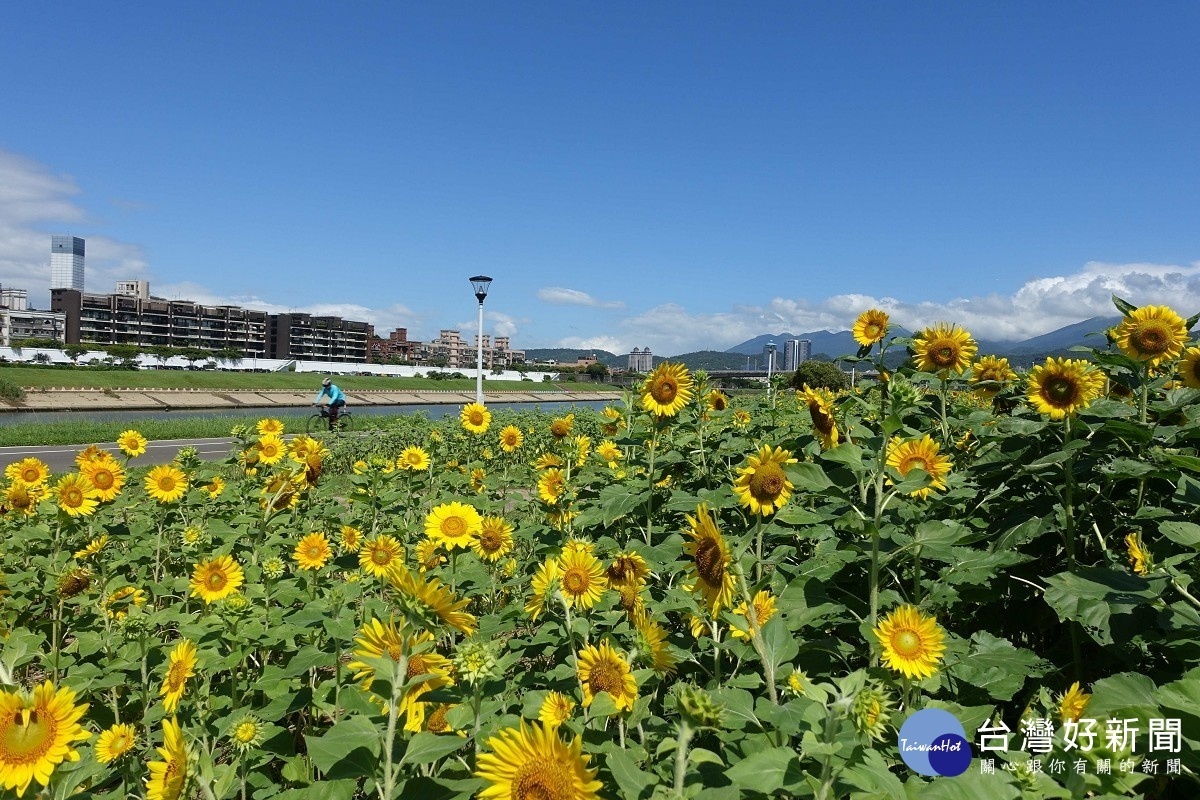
170 400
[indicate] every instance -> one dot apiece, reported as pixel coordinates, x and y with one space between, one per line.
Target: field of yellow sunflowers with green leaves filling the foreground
685 596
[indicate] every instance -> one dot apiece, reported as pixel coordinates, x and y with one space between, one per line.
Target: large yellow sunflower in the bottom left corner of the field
38 733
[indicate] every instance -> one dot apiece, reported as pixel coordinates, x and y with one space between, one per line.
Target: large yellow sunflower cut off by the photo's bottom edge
533 762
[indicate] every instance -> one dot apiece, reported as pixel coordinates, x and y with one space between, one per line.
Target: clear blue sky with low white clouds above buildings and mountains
675 176
